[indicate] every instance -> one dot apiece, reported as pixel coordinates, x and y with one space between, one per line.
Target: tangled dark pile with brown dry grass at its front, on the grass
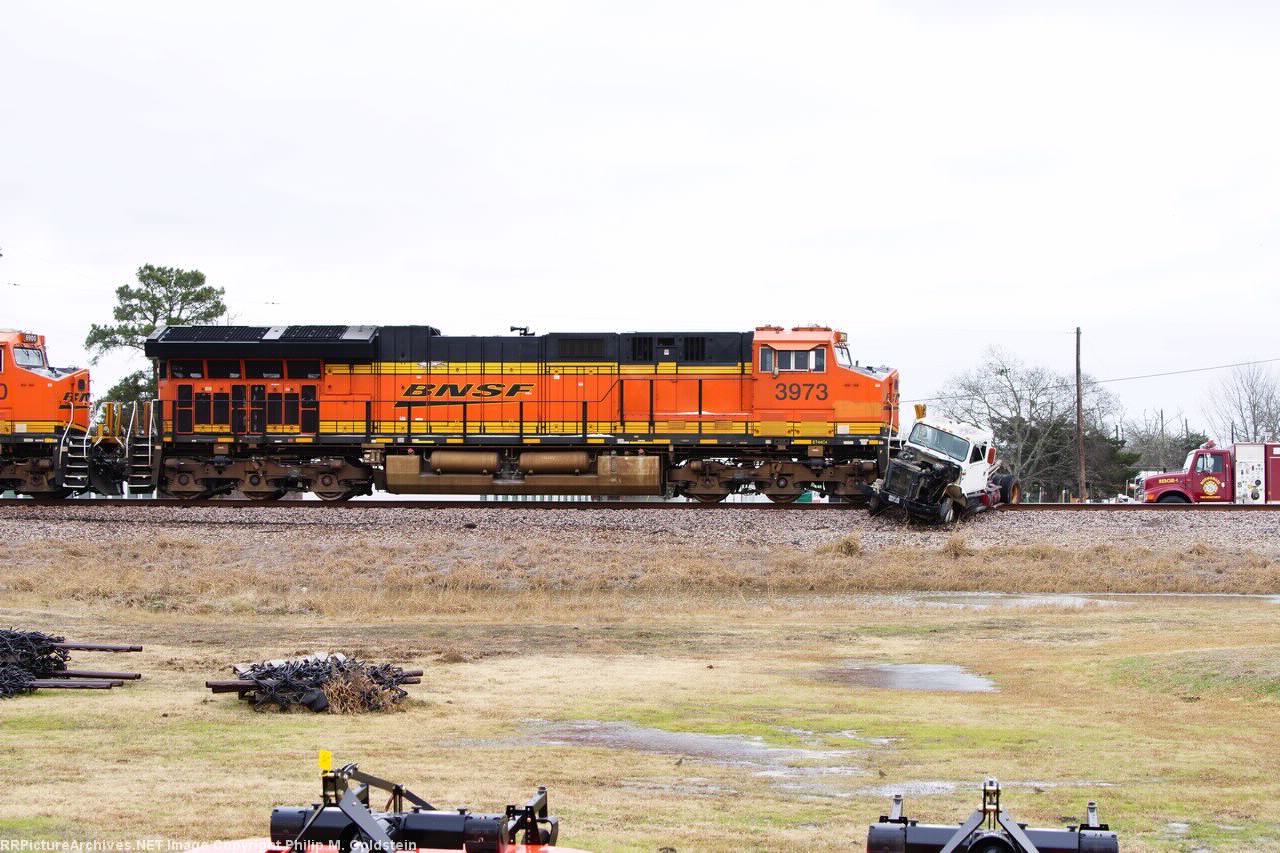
332 683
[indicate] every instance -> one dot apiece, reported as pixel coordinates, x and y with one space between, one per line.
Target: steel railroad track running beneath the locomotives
605 505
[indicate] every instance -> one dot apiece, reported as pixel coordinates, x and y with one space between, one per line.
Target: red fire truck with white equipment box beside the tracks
1240 475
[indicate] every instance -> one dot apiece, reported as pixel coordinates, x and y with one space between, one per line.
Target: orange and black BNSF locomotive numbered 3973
342 410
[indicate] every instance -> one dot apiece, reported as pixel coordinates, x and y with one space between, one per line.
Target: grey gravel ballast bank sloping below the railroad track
720 530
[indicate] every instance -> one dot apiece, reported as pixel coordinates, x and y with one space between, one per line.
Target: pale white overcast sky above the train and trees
931 177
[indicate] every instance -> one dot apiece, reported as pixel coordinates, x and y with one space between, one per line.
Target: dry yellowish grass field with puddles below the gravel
669 697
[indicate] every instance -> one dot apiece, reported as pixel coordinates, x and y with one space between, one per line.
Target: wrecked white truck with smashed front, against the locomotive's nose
944 471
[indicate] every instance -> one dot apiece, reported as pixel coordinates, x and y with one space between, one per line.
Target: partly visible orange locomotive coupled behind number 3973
44 410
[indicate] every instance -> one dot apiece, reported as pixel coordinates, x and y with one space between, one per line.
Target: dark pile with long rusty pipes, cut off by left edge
34 662
